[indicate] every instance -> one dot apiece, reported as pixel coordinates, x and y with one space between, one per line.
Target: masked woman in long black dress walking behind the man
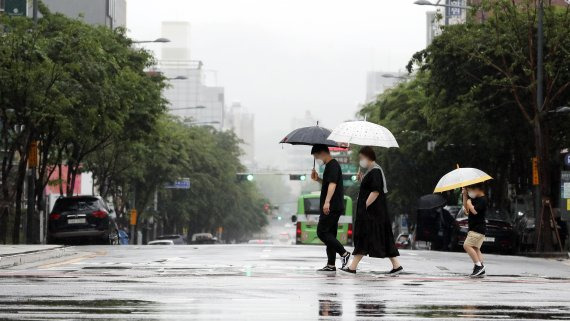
373 234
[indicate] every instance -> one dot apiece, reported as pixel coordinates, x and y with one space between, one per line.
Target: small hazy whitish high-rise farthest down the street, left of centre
242 123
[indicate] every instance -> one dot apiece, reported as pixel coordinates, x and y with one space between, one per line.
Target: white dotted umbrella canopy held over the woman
363 133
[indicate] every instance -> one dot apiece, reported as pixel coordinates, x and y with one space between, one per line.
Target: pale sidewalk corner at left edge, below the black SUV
13 255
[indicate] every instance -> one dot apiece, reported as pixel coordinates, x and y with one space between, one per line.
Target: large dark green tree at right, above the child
483 75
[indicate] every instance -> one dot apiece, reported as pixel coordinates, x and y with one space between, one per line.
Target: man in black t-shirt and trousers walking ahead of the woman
331 206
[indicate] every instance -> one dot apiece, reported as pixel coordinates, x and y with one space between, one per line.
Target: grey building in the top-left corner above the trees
110 13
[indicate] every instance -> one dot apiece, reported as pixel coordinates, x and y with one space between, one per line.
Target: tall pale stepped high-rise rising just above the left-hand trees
190 96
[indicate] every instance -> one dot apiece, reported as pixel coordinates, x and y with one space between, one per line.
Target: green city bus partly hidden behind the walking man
307 218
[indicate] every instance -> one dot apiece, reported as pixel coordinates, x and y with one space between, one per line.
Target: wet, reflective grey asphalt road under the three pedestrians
249 282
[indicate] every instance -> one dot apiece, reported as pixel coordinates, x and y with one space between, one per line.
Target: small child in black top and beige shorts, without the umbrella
475 207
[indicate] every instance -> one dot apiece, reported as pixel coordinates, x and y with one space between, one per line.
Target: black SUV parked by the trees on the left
82 217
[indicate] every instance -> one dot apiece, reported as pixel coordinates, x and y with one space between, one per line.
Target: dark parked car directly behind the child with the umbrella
501 235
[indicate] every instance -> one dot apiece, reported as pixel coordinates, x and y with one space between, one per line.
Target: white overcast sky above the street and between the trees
281 58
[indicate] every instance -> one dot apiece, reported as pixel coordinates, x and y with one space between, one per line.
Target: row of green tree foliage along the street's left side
83 93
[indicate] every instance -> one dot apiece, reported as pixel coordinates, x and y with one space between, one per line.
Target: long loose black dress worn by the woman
373 234
